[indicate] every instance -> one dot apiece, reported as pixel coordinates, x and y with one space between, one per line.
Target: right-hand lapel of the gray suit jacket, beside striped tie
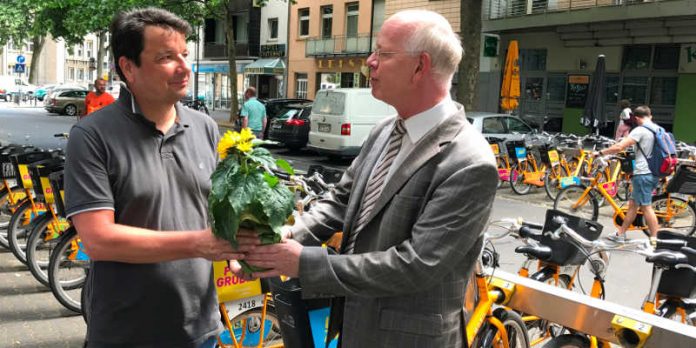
424 150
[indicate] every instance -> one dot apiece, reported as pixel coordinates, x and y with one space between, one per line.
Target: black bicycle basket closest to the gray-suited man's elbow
564 252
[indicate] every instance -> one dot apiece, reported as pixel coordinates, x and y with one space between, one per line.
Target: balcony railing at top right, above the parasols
497 9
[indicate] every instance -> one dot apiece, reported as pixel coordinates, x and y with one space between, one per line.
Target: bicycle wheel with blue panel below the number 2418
247 328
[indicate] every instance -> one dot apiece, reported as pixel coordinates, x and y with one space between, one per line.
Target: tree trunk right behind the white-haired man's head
470 32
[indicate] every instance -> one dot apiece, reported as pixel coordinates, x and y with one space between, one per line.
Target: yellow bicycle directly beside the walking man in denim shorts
672 212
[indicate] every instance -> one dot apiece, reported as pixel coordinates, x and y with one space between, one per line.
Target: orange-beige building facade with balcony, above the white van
329 43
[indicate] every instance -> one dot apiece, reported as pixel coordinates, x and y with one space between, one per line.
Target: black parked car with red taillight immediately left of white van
292 127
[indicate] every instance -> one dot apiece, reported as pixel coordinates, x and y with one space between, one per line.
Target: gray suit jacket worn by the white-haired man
405 284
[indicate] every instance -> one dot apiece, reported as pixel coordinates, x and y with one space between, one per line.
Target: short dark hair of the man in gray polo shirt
128 28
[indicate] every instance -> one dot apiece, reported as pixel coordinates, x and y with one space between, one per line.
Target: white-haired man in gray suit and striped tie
412 205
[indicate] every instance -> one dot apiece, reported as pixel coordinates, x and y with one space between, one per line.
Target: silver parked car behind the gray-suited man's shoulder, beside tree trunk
502 126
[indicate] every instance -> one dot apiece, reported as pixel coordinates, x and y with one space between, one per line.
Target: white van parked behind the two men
342 118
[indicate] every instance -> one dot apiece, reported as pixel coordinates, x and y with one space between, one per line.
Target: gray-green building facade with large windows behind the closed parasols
650 50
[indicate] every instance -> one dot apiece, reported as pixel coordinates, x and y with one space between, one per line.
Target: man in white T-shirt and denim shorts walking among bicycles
643 181
